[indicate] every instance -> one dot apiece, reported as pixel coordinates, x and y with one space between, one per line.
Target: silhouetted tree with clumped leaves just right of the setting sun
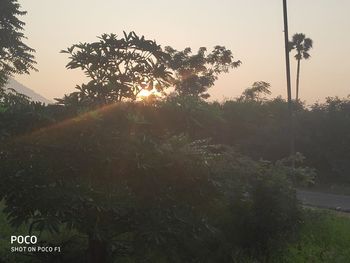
195 74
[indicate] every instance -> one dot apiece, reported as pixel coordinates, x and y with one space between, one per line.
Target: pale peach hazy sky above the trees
252 29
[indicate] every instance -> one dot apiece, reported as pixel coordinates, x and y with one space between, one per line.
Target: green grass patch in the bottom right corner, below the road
324 237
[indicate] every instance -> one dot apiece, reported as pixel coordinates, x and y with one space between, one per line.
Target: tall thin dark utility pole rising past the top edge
289 88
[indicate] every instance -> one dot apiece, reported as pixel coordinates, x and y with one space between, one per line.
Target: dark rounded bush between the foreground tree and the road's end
263 210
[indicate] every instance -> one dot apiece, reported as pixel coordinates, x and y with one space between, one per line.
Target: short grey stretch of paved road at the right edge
324 200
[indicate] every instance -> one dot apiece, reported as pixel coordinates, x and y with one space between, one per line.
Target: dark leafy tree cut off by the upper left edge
15 56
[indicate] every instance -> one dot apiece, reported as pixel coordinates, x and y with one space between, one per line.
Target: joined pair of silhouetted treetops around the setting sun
120 68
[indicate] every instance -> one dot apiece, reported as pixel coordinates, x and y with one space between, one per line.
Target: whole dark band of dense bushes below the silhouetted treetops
132 174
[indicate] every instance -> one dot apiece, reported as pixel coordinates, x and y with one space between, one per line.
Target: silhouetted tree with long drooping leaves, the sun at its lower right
118 68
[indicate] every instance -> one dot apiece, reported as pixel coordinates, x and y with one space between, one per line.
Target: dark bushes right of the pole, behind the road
324 138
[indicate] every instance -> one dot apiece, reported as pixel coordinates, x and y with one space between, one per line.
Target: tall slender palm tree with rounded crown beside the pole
302 45
